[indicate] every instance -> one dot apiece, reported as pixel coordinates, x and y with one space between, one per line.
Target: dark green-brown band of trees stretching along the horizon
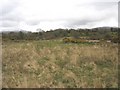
106 33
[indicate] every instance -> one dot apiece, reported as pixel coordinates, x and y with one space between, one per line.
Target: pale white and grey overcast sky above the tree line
52 14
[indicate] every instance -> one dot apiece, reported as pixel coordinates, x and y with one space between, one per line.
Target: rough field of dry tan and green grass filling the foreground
56 64
